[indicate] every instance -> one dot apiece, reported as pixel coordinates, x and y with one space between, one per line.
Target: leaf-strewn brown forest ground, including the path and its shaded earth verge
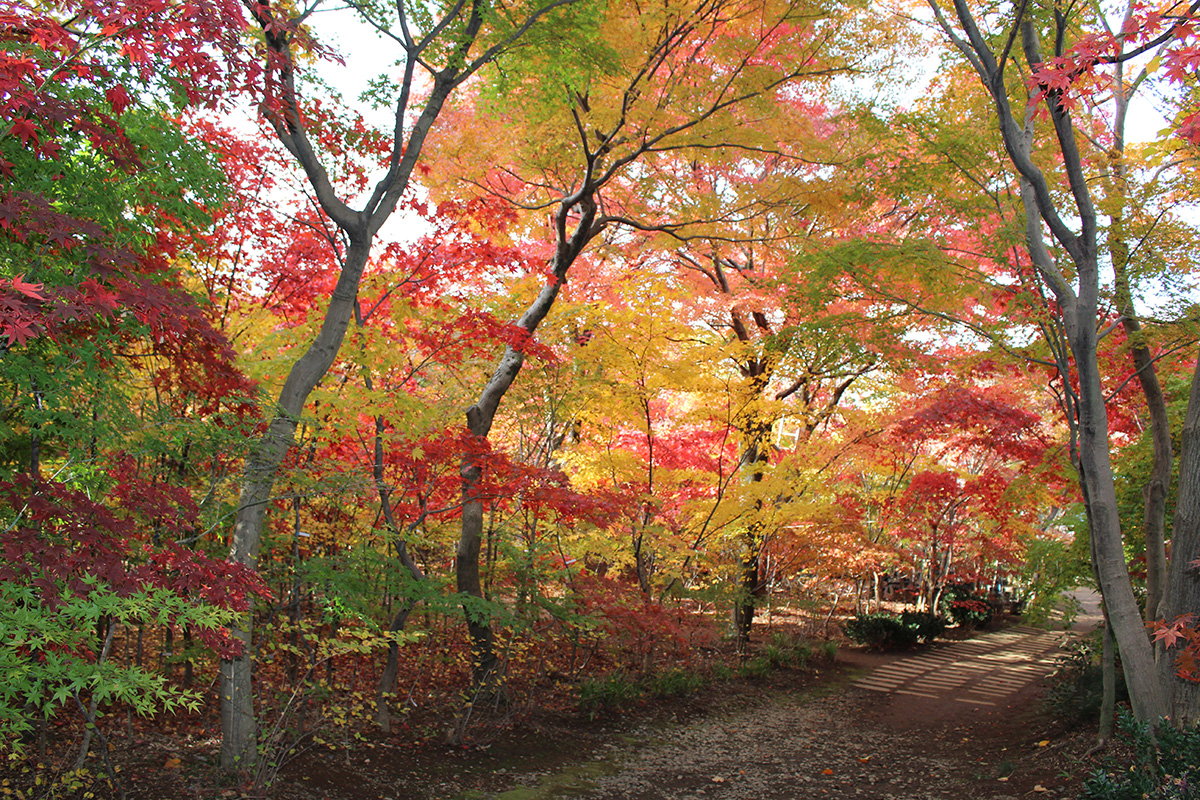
957 720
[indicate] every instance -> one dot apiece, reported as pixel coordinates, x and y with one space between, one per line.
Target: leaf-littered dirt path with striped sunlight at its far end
957 721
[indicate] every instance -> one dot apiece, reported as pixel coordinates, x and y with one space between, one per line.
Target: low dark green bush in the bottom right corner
1166 767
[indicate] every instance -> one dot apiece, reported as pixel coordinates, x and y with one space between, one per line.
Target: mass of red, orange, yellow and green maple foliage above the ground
583 363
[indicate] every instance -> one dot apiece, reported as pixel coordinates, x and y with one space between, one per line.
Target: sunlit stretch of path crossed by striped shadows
983 671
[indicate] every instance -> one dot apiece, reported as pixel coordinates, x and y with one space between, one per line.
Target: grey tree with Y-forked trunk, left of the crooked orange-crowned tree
446 46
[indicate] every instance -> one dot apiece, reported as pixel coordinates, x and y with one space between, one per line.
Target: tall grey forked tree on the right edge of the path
1073 278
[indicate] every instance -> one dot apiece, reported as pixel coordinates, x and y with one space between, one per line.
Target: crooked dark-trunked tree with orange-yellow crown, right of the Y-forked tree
676 82
